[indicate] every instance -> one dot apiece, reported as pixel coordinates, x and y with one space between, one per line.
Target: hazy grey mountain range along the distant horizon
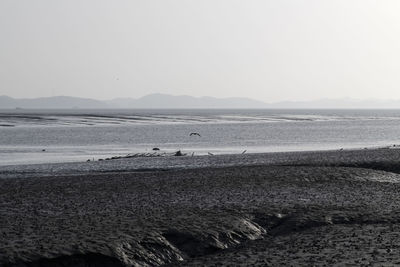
164 101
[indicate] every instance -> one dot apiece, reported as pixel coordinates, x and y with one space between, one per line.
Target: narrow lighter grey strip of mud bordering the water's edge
143 164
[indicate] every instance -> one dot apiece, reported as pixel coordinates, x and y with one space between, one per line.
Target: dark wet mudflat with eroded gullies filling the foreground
280 209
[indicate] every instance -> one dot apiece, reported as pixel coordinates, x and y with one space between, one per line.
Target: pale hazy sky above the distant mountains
267 50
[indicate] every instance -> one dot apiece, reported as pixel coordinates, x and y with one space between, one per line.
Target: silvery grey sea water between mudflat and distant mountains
78 135
